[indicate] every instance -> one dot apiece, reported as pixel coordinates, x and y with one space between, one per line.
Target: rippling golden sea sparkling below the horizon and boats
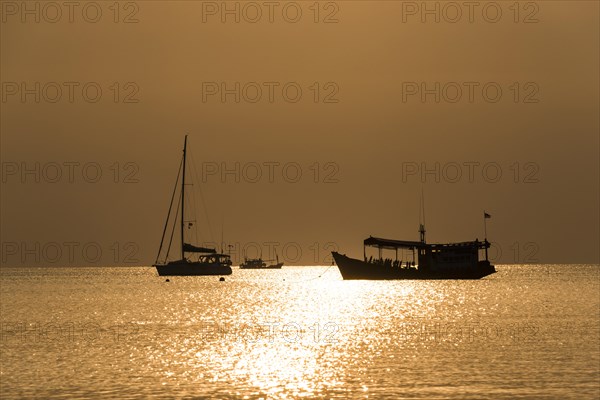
529 331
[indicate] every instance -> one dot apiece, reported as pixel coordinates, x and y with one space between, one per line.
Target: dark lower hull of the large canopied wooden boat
351 268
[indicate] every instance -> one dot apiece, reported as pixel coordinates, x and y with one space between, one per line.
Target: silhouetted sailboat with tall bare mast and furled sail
195 260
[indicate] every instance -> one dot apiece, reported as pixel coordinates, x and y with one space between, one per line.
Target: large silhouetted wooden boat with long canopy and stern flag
429 260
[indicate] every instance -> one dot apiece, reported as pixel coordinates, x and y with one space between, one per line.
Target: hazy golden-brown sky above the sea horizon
360 103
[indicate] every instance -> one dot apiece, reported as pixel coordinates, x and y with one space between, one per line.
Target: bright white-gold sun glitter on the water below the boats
296 340
